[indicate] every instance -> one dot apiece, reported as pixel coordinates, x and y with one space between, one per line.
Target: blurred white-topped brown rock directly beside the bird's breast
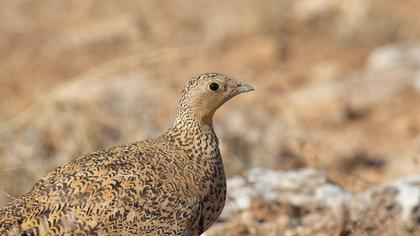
266 202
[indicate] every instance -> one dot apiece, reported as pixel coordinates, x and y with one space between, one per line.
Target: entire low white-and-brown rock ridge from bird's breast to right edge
305 202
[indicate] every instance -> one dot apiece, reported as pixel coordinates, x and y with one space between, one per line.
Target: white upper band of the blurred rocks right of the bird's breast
310 187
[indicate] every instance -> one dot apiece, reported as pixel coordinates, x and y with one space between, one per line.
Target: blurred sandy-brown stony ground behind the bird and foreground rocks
337 85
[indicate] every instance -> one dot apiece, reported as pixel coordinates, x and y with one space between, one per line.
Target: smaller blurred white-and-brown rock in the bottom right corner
392 208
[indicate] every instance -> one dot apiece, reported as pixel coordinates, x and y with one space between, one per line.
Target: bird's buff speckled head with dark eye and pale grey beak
205 93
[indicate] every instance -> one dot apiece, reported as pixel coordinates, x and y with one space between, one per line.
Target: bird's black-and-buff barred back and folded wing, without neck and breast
143 187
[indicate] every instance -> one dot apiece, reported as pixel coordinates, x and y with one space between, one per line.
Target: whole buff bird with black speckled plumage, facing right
174 184
